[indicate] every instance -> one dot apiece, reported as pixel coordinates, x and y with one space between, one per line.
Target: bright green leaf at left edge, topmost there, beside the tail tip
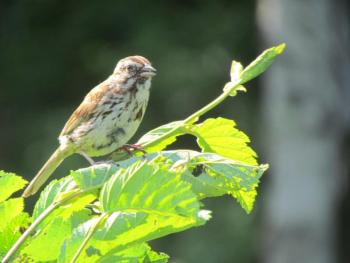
10 183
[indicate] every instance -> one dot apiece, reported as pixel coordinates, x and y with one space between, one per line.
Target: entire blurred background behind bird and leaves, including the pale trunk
53 52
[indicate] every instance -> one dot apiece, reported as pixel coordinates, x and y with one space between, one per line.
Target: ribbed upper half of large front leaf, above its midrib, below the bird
148 188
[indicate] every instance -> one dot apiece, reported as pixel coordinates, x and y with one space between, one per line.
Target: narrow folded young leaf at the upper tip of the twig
261 63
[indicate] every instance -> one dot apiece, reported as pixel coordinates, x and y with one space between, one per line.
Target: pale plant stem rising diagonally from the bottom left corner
36 222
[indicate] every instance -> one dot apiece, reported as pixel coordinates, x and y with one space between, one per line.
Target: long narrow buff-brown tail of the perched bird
49 167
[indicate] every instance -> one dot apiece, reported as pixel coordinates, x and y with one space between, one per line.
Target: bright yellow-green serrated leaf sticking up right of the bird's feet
220 136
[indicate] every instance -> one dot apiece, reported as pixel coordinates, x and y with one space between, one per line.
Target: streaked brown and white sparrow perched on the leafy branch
106 119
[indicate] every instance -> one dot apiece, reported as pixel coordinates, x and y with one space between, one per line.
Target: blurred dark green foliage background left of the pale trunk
53 52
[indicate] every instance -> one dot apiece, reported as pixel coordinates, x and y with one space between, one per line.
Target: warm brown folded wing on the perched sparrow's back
86 108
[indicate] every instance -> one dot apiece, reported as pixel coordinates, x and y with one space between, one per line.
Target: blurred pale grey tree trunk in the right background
305 107
